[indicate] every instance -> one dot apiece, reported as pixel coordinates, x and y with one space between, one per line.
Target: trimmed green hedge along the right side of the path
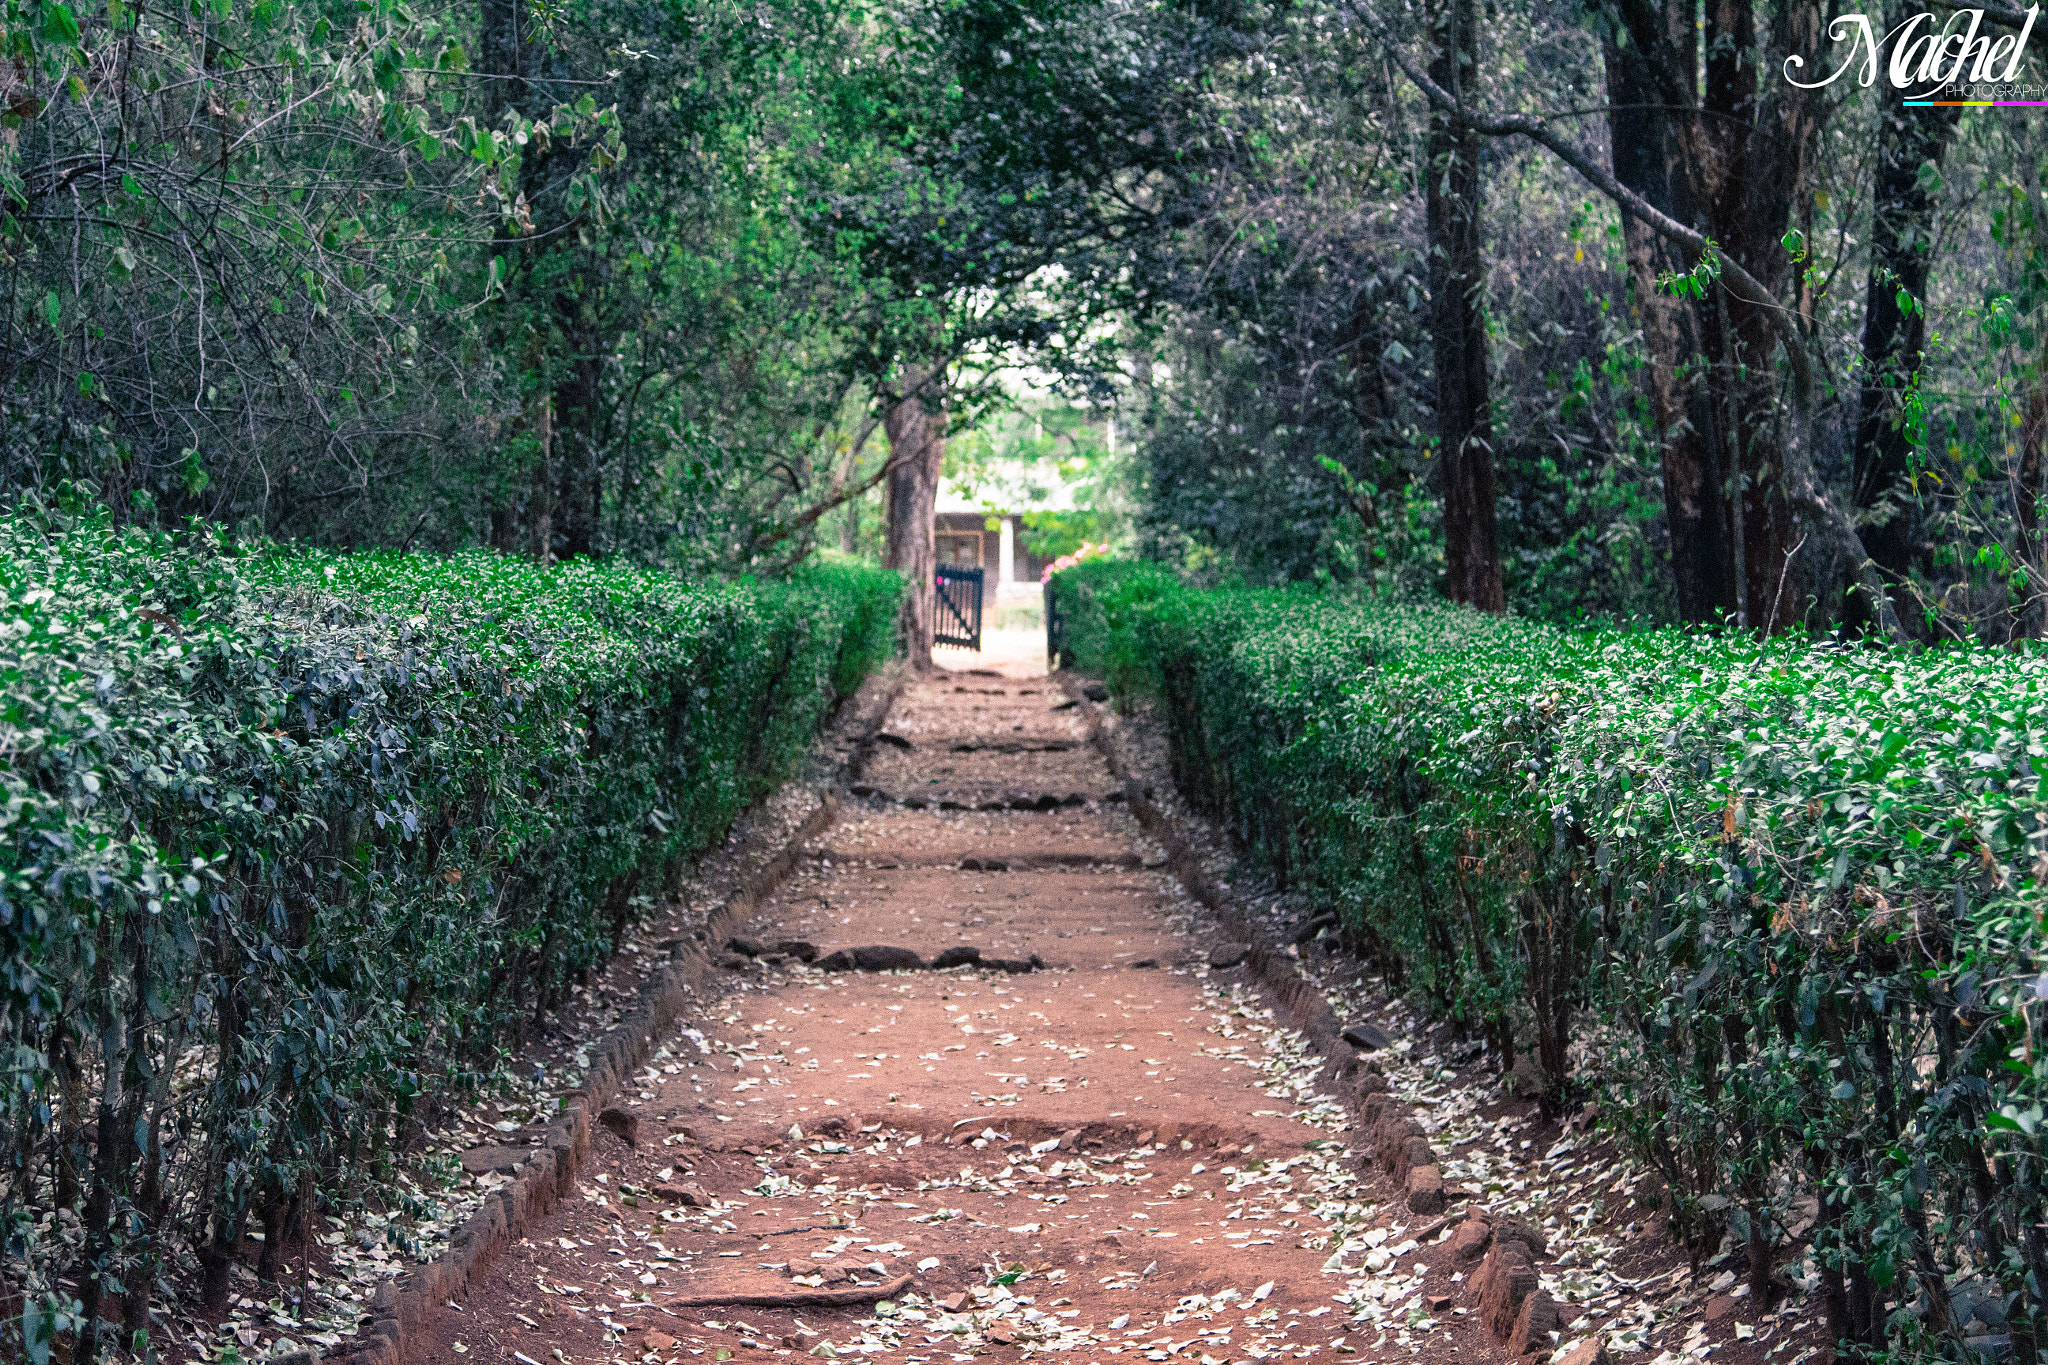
1781 899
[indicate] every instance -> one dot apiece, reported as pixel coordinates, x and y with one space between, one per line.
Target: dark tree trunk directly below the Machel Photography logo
1902 251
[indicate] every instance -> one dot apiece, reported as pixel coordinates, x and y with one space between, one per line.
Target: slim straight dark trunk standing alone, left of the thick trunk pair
1459 326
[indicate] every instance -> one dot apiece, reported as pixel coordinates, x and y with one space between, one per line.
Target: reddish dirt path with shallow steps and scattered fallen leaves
1113 1153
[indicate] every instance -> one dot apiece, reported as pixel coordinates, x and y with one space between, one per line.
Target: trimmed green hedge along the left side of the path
296 840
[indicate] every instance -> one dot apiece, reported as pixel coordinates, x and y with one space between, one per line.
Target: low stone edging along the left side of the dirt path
548 1176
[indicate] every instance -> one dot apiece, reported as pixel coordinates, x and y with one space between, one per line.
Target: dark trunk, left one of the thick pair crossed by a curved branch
1646 148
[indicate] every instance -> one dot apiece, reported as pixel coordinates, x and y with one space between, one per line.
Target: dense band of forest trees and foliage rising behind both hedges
1603 310
